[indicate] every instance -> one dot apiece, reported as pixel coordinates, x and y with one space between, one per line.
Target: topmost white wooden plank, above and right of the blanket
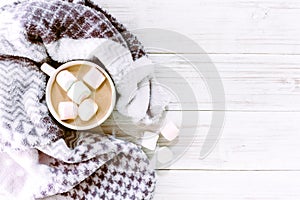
219 26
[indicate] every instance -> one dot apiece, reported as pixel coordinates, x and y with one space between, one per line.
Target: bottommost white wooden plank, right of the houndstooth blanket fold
233 185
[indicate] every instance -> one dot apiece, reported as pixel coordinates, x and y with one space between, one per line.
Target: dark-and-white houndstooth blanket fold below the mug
124 171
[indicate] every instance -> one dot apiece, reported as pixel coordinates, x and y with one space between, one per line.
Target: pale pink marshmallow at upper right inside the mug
93 78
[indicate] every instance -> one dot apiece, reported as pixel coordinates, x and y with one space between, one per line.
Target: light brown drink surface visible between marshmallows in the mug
102 95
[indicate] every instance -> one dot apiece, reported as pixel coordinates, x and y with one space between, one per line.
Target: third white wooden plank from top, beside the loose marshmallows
249 141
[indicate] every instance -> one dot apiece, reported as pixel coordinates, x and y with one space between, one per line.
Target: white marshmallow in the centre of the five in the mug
78 92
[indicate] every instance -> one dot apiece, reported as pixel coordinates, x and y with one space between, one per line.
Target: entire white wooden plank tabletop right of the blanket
255 45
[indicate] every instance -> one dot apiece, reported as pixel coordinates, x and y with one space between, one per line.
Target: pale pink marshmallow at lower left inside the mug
67 110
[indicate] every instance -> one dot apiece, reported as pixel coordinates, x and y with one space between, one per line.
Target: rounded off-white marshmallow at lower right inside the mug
87 109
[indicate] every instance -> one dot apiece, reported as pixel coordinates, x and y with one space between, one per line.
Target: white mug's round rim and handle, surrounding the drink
52 72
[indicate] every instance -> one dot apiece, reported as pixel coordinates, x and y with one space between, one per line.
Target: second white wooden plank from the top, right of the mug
251 82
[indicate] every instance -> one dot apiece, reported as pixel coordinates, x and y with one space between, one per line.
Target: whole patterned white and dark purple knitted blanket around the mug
40 158
